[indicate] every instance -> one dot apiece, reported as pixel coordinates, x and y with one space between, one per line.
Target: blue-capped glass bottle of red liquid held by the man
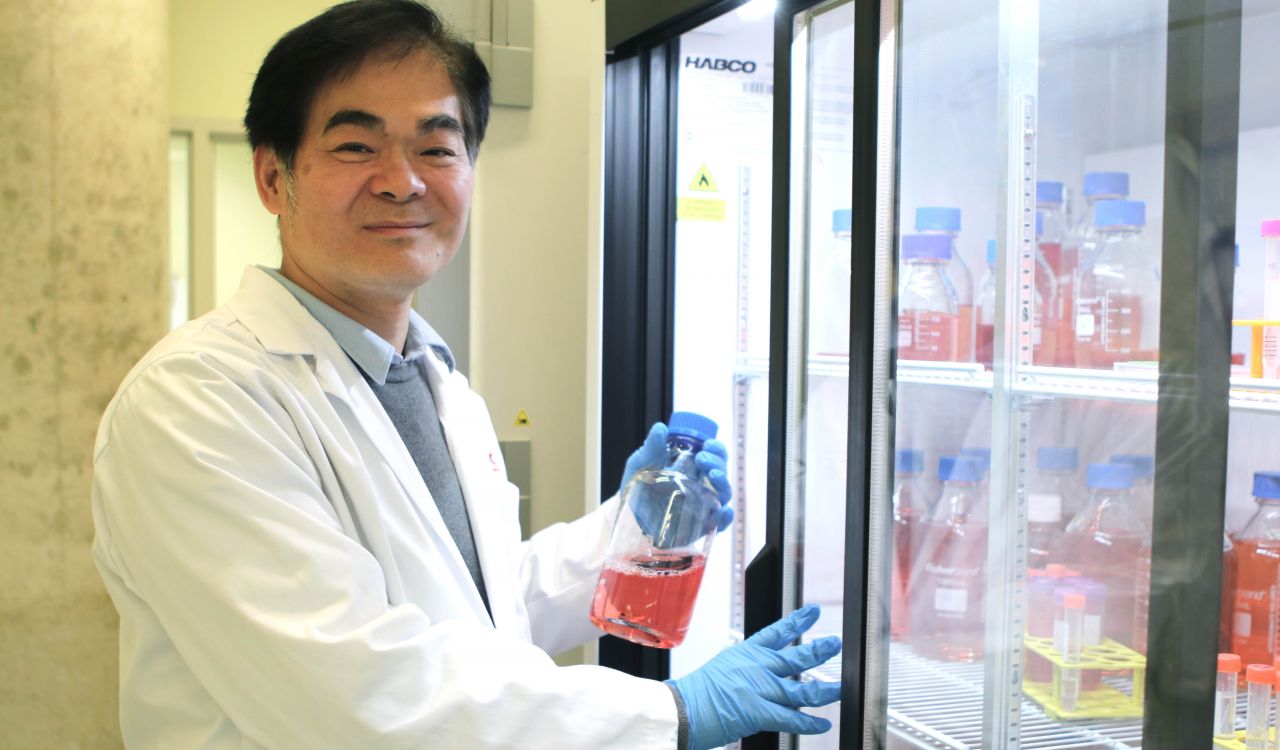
661 539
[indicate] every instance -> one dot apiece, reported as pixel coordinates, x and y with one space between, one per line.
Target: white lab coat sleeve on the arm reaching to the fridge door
211 510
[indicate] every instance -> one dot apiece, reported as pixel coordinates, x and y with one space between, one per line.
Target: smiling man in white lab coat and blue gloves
301 510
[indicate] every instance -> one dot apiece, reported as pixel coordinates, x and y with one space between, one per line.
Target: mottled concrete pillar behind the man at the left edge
84 181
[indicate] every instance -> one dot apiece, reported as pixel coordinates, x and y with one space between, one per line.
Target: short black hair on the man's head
335 44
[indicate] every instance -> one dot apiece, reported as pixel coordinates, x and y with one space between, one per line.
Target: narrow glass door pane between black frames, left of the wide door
821 262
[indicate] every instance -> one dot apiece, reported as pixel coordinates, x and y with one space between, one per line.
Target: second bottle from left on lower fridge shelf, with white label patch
949 583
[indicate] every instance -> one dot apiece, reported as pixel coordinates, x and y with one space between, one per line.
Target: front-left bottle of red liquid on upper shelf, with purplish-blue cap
929 323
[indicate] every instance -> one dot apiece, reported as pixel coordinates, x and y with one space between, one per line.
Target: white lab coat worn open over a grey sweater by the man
286 582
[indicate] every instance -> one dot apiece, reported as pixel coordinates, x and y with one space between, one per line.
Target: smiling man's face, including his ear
382 184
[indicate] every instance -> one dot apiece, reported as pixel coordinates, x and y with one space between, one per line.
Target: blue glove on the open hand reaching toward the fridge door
746 690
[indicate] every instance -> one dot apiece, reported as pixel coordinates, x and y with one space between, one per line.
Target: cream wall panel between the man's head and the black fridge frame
536 258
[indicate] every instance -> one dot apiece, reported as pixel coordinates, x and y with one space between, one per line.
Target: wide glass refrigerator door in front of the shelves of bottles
1027 379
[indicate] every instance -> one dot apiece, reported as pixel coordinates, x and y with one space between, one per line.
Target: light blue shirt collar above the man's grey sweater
369 351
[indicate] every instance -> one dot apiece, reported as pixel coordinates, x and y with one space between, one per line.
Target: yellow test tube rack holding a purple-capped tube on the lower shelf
1101 703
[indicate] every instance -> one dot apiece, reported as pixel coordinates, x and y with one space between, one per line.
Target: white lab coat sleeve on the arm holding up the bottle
559 573
